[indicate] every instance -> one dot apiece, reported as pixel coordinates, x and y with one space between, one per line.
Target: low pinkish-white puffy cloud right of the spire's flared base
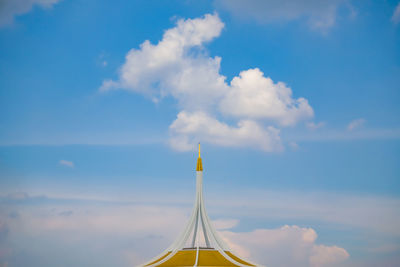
285 246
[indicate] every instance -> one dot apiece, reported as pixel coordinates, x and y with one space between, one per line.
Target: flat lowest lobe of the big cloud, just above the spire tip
190 128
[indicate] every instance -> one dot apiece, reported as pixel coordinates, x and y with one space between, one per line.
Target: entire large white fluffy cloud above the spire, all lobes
179 66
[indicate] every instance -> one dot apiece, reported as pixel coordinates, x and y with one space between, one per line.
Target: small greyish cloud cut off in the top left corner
11 8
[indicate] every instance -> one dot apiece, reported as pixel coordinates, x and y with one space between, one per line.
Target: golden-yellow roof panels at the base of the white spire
207 257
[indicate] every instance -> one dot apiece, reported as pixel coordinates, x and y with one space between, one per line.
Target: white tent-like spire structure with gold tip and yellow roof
199 243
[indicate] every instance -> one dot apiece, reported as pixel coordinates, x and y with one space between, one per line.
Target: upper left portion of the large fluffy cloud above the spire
169 68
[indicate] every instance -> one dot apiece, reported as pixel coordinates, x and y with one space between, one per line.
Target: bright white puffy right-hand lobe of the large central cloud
252 95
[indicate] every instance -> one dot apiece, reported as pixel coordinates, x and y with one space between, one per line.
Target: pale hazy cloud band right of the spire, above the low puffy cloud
372 213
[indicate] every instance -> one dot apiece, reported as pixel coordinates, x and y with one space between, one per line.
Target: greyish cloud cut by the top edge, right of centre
321 15
